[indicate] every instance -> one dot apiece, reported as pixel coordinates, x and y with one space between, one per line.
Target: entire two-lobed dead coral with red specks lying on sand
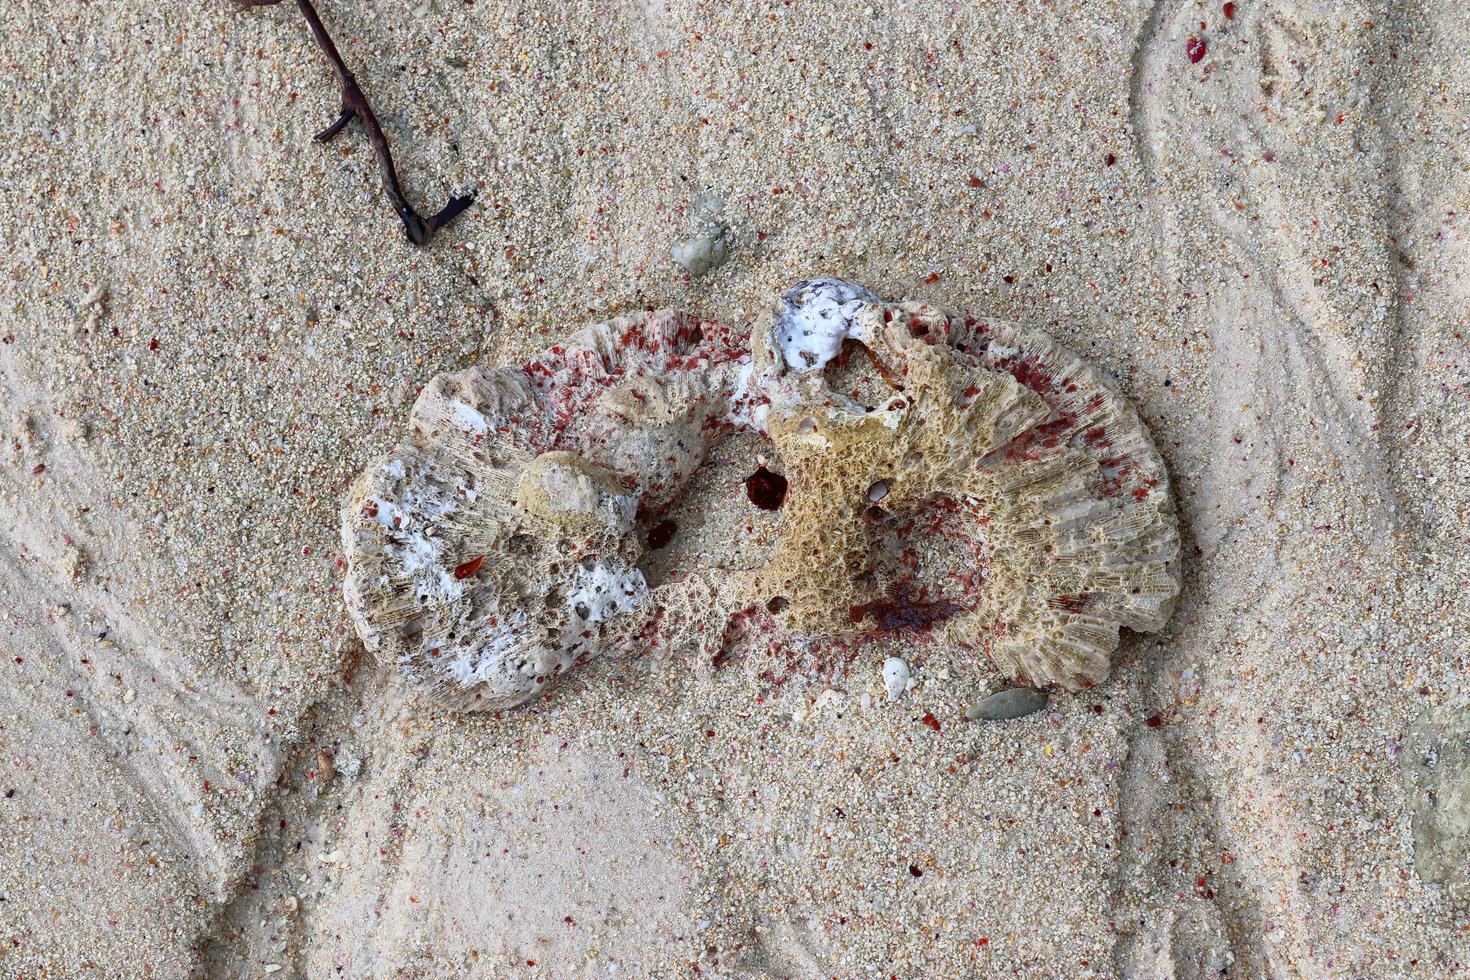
943 475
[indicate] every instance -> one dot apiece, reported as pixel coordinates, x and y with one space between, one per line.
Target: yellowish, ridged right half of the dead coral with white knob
975 481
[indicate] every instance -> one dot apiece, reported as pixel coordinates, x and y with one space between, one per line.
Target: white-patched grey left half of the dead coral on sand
498 546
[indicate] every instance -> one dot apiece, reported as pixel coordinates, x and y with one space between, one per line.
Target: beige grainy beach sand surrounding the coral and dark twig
209 324
